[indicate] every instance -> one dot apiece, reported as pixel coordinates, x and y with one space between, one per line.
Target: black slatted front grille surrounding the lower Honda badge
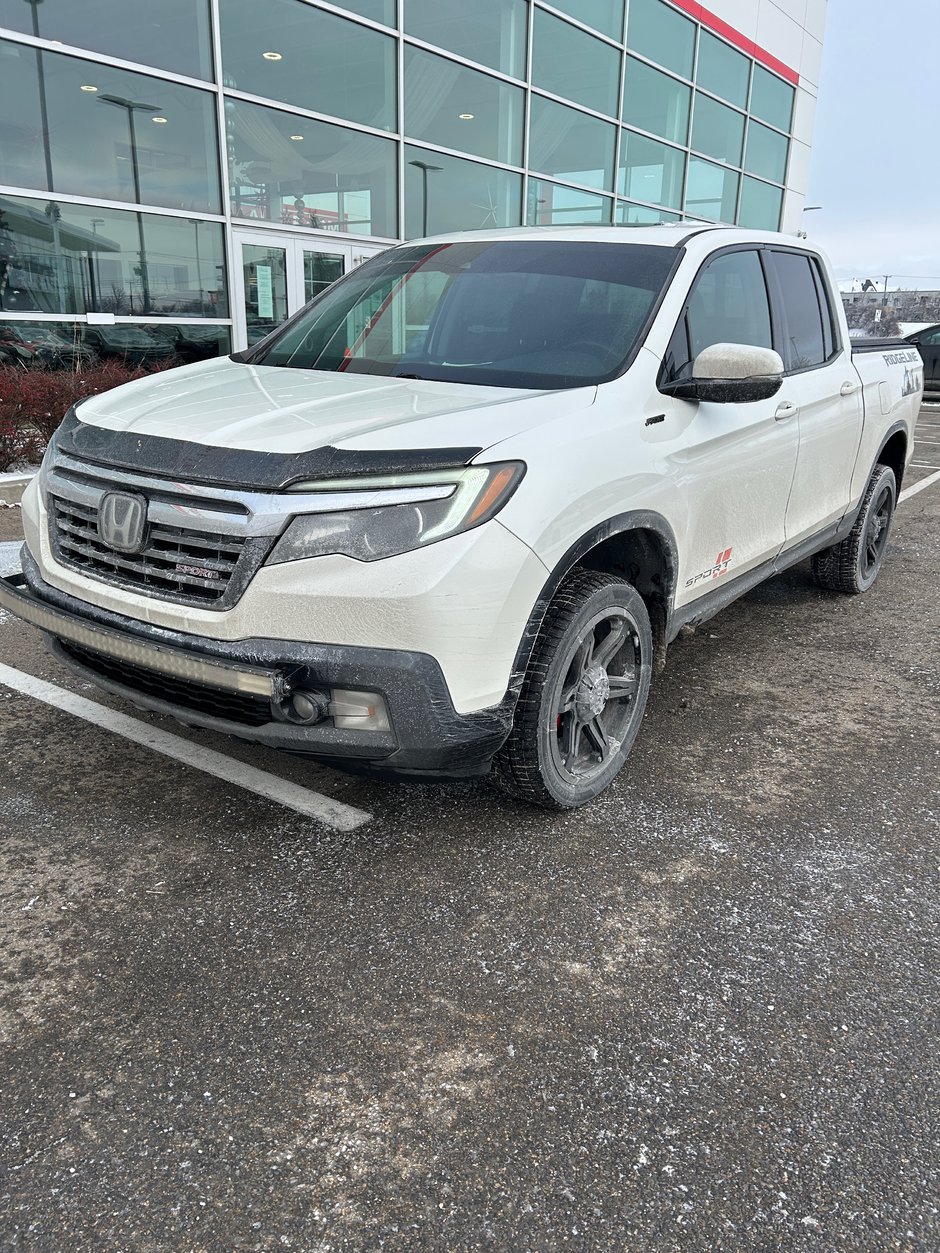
179 563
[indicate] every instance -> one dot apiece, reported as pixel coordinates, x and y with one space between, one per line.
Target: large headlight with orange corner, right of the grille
417 509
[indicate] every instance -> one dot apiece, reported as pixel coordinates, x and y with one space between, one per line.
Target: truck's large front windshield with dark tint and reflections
537 314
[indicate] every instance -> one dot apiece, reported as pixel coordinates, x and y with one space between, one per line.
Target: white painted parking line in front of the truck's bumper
311 805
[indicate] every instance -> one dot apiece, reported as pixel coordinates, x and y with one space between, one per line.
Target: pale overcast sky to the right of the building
877 150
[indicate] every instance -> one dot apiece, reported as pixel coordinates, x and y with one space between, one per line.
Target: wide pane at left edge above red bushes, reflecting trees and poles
75 259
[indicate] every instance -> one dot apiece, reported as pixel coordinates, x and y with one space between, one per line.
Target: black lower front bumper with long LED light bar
243 689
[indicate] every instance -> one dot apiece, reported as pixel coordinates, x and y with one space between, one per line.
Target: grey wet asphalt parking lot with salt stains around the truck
701 1014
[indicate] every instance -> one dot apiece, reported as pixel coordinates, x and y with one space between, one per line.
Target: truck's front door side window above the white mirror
729 305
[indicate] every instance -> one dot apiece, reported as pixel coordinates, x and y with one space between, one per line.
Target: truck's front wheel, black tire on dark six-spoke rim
583 696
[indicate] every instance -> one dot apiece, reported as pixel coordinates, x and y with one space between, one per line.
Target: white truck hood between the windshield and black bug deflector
274 409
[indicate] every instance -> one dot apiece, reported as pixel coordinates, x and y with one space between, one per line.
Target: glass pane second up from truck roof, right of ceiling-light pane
571 145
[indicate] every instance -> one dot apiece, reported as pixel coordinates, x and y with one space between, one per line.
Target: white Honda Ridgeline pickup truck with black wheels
449 517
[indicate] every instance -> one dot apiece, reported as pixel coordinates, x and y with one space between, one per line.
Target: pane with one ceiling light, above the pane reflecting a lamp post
454 107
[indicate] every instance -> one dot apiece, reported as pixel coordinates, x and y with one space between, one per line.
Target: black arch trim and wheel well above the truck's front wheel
642 546
